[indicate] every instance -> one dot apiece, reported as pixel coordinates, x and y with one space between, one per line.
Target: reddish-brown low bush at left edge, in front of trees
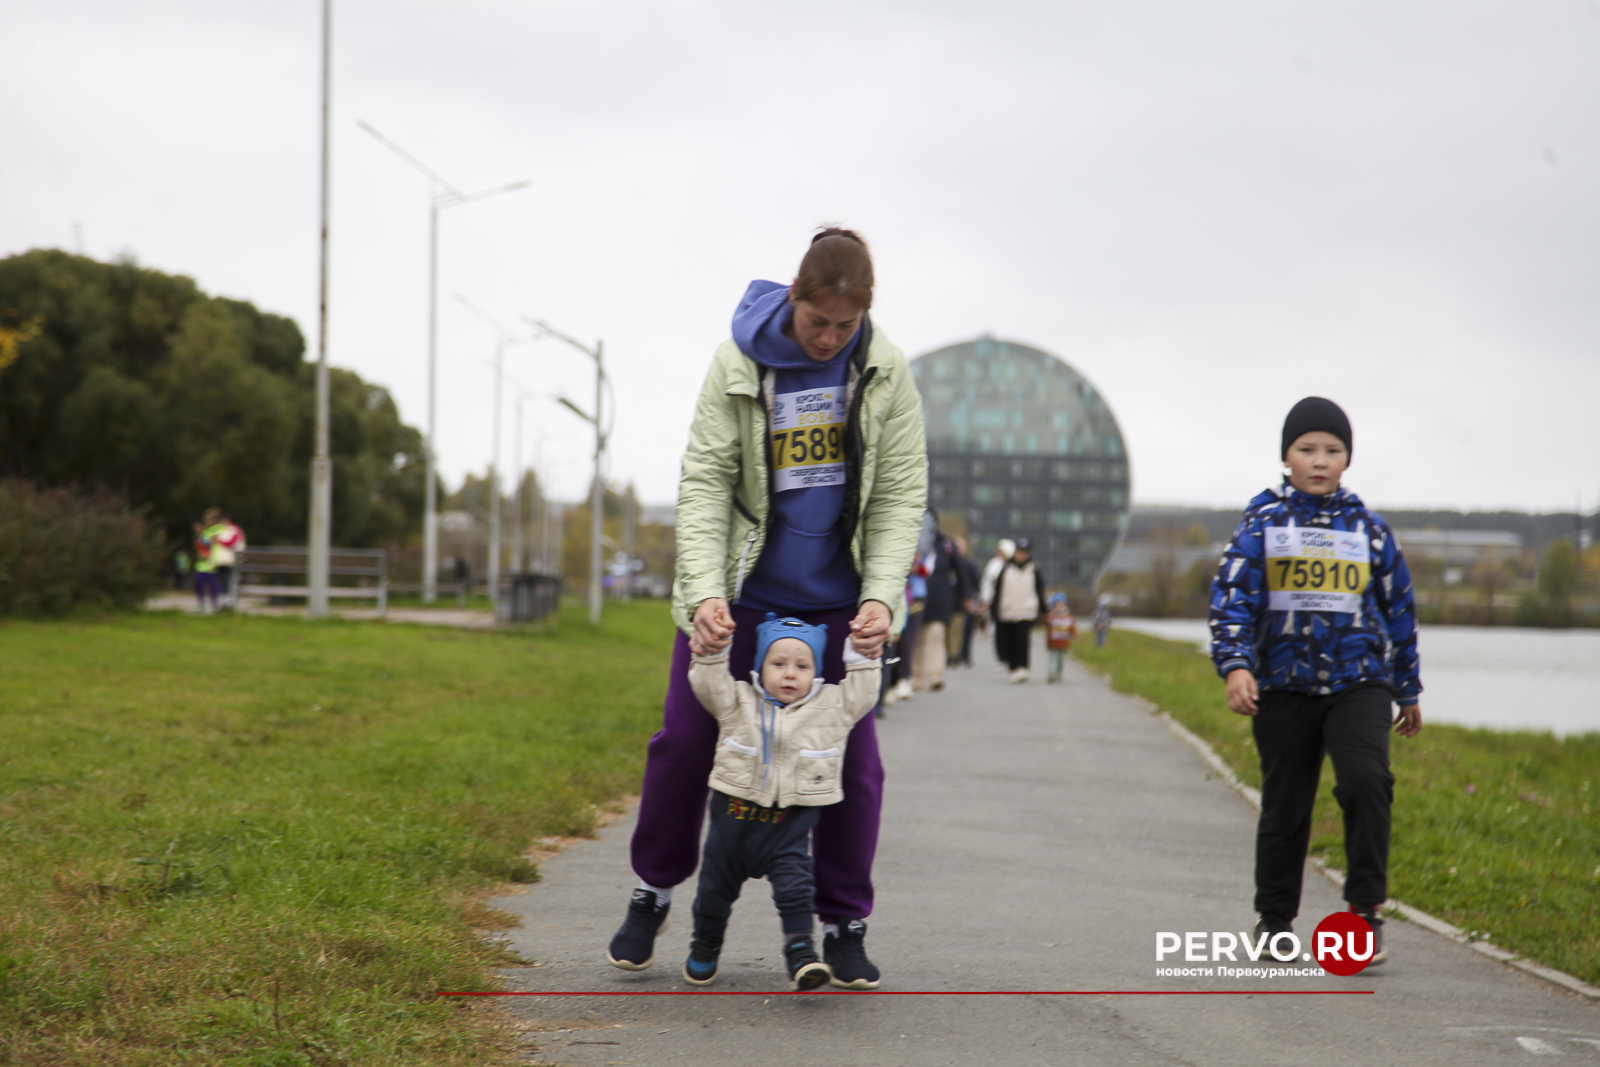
62 549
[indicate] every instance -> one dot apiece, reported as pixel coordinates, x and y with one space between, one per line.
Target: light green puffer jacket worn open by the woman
726 497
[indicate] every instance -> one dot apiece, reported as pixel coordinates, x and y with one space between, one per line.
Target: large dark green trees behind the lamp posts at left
138 383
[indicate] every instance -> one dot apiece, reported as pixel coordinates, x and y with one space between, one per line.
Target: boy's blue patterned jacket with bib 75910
1313 596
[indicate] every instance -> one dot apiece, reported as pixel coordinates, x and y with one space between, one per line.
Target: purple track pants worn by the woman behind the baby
678 767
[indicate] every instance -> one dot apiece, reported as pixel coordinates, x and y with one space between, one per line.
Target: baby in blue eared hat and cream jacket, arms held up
780 749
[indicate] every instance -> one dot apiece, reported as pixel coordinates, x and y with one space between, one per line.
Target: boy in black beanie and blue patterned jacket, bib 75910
1313 629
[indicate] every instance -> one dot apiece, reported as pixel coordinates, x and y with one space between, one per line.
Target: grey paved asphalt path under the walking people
1034 839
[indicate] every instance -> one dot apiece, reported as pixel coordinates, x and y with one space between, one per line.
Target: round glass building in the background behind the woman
1020 446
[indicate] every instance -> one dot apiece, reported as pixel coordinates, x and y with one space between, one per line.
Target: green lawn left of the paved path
257 842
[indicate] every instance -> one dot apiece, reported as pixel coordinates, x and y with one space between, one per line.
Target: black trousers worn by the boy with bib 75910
1292 733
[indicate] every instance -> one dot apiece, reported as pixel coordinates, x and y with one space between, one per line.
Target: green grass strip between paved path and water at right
1495 833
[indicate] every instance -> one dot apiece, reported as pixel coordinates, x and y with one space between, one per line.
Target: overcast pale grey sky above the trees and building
1207 209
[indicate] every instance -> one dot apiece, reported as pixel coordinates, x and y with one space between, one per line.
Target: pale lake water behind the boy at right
1495 677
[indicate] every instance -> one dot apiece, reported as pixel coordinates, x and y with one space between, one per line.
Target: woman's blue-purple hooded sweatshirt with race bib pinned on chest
806 564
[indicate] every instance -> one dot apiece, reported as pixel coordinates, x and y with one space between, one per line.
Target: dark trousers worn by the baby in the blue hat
748 842
